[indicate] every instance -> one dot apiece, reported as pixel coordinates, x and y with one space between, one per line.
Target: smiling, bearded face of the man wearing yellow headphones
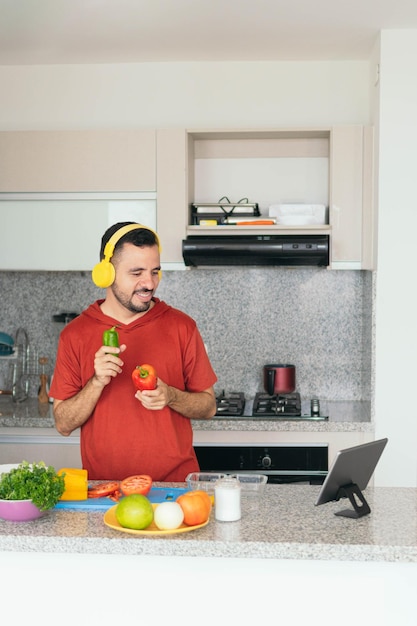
137 276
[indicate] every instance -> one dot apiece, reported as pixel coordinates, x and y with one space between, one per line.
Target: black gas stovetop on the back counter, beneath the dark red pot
286 406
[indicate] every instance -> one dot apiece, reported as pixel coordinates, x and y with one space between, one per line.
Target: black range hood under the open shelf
260 250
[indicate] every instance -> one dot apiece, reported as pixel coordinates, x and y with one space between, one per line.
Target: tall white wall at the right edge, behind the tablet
396 311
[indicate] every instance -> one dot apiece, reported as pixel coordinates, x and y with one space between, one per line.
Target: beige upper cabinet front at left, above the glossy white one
78 161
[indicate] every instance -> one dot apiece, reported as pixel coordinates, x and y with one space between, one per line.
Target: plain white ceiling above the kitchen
132 31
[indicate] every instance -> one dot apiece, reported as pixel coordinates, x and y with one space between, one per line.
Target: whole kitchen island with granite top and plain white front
285 556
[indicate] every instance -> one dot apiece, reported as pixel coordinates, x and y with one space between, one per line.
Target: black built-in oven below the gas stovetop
281 463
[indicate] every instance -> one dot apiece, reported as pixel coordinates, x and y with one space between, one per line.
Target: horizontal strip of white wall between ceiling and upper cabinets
183 94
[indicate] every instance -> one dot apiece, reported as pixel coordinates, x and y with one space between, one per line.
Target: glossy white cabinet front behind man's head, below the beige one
62 232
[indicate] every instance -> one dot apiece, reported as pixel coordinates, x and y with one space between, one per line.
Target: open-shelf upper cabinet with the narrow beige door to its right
331 166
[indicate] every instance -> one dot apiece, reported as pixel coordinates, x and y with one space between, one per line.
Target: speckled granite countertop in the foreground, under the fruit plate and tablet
283 524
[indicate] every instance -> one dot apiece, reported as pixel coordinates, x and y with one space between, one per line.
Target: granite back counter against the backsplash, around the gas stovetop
342 417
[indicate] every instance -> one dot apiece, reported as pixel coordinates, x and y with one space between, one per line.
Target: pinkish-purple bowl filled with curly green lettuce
28 490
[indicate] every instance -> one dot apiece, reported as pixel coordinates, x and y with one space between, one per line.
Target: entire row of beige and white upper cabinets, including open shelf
155 176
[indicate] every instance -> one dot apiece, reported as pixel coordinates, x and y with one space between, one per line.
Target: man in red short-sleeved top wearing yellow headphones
124 431
